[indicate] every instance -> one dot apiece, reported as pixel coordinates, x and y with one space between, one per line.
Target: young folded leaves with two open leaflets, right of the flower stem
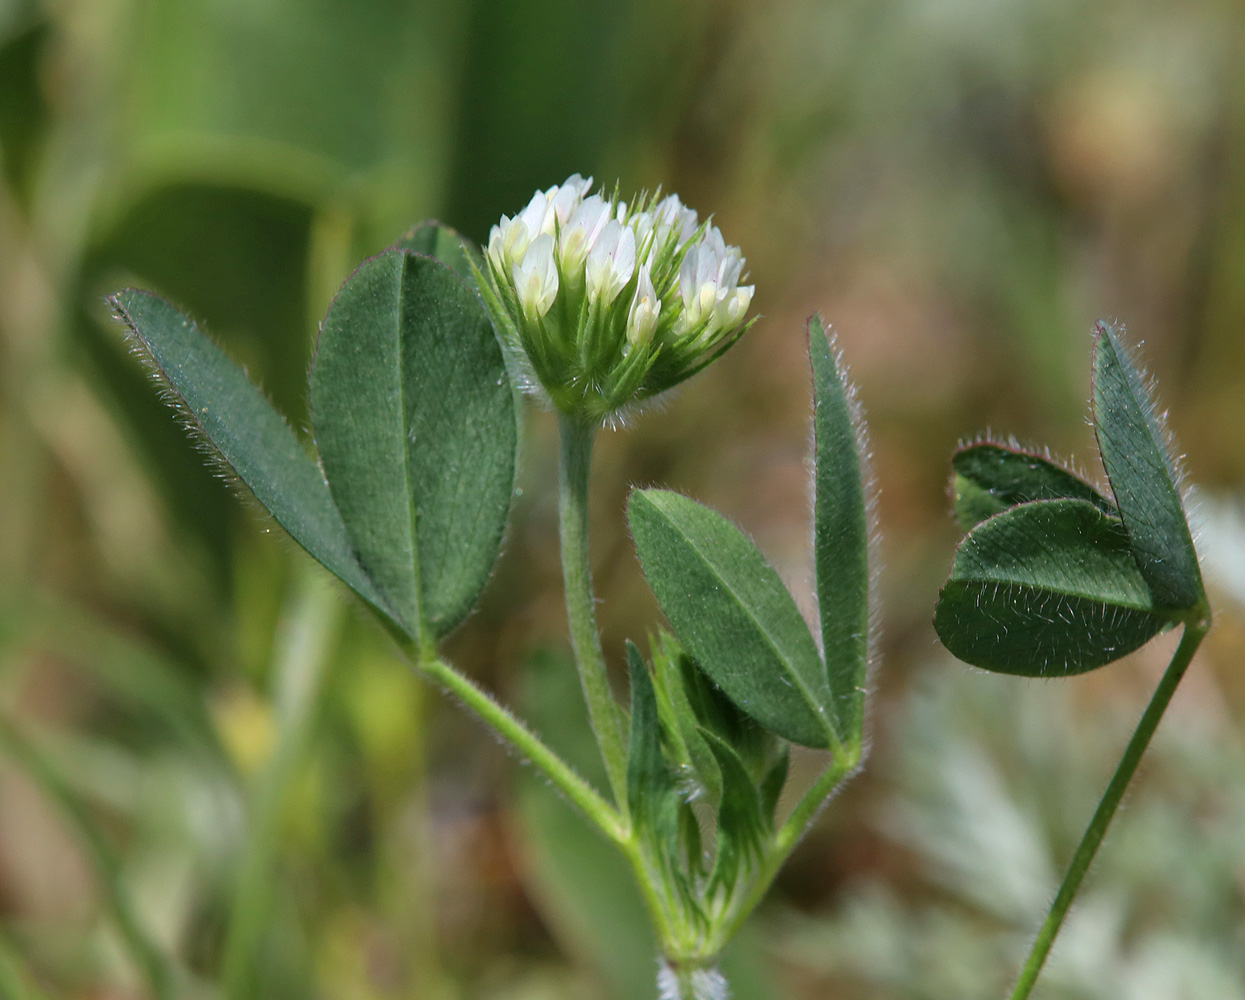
715 712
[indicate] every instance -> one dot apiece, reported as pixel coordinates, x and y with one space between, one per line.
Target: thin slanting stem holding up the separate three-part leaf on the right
1107 808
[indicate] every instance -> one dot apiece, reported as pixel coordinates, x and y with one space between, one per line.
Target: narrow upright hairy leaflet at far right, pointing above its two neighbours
1144 478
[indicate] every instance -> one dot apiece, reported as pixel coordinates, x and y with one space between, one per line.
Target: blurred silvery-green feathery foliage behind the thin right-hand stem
992 788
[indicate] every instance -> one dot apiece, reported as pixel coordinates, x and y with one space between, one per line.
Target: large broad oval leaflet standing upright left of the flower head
418 429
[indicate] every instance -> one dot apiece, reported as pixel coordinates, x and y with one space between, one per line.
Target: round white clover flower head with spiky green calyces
604 303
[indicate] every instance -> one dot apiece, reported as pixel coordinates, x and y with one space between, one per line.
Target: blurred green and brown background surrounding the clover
216 778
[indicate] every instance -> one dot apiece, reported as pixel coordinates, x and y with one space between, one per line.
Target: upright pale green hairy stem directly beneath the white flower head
586 639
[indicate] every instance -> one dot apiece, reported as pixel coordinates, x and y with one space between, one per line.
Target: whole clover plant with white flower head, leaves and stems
592 306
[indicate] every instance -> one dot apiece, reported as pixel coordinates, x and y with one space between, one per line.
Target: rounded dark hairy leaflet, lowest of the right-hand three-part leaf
1048 588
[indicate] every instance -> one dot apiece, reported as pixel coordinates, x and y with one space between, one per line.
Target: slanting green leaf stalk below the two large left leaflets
598 811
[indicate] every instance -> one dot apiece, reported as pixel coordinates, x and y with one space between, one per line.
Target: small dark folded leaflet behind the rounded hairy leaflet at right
989 478
